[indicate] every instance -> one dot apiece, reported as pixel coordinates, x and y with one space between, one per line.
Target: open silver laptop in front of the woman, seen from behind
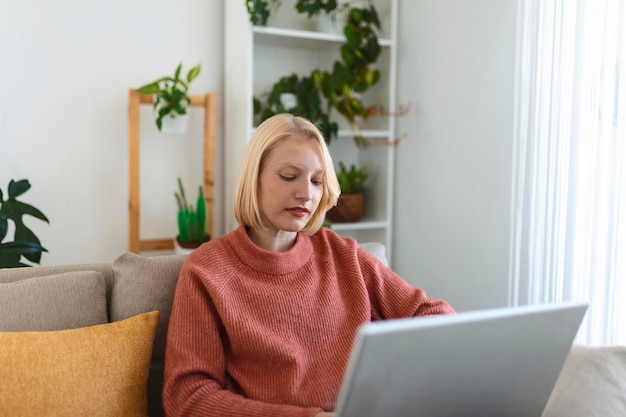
489 363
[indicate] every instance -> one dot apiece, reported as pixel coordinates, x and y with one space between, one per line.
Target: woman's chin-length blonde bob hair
267 136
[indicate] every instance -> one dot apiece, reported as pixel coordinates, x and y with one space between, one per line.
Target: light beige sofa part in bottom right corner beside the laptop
592 383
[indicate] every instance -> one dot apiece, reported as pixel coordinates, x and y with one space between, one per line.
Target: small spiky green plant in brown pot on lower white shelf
349 206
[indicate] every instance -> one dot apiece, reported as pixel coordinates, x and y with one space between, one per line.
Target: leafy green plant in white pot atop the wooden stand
170 96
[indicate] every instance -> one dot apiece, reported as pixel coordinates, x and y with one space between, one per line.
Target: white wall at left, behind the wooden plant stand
66 67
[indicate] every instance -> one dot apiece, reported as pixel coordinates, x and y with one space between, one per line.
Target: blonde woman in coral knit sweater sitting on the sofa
264 318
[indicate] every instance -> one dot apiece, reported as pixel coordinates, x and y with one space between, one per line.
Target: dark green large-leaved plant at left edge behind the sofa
25 243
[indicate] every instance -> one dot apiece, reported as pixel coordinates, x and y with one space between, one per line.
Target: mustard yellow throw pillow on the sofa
92 371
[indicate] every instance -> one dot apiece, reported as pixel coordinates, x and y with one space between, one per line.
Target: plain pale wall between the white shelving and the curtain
457 60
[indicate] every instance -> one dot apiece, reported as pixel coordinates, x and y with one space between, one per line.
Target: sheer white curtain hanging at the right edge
569 175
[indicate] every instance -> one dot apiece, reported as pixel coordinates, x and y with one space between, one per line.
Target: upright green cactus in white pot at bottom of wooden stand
191 220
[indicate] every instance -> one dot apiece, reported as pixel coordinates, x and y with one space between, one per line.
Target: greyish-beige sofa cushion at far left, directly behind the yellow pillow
55 302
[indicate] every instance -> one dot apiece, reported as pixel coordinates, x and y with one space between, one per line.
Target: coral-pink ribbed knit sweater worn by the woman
257 333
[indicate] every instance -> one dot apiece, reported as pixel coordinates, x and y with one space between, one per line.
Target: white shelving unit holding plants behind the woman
257 56
